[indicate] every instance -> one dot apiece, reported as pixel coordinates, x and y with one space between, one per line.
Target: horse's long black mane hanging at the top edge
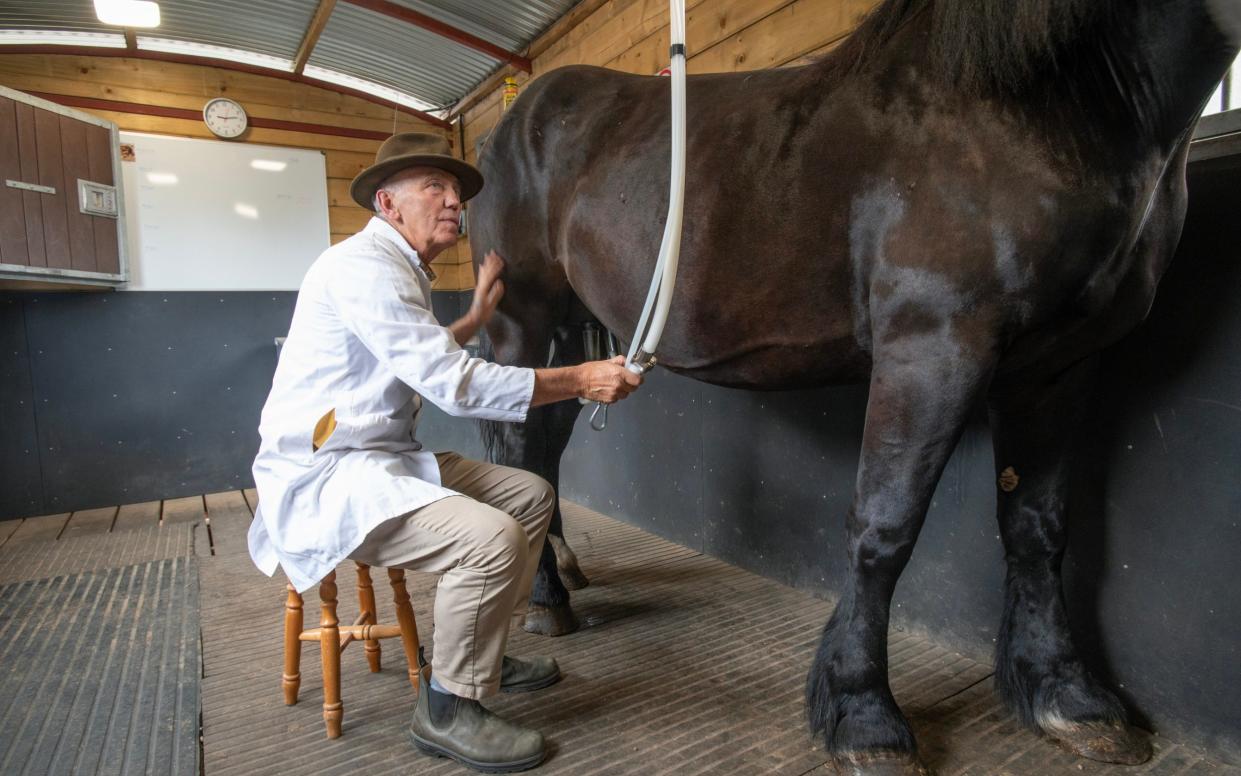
981 45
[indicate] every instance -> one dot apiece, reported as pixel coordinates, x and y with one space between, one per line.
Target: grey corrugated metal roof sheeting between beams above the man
357 42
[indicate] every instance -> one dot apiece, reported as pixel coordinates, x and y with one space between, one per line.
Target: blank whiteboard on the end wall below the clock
208 215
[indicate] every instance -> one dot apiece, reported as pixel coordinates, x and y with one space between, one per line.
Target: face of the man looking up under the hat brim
424 204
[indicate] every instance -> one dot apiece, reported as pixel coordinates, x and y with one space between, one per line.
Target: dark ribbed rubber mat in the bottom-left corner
100 672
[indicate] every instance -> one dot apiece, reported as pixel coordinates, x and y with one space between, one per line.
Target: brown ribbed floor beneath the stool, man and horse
684 665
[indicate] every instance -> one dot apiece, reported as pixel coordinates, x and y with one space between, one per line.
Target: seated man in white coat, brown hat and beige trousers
342 475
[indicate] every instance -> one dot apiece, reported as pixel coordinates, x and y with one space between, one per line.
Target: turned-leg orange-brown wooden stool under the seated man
333 639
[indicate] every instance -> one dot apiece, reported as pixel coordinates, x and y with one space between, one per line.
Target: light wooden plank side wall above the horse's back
723 37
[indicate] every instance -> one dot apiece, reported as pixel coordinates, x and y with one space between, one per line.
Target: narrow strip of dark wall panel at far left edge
20 482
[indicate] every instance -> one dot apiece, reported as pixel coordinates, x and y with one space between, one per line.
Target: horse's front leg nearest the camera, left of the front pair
921 392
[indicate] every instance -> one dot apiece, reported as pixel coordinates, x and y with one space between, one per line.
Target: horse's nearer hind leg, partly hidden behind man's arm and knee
522 340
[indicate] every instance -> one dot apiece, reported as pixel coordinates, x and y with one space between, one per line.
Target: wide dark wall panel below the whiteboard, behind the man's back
148 395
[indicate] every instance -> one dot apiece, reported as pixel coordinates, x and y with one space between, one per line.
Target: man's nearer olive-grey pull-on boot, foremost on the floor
468 733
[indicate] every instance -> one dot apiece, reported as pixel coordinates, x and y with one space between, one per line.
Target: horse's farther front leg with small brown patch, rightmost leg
1038 671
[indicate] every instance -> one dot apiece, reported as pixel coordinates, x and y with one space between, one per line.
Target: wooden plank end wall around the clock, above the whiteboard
189 88
